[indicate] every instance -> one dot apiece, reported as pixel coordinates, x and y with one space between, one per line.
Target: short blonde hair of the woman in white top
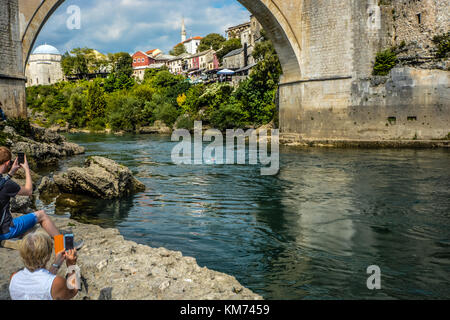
36 250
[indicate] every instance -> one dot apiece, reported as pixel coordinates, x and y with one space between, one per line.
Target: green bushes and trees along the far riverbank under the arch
163 97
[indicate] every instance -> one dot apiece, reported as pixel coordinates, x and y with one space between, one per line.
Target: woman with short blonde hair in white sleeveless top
35 282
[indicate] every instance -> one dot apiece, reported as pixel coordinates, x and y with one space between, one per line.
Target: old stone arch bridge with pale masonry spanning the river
327 49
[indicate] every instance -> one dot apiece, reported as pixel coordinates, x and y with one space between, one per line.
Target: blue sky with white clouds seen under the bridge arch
132 25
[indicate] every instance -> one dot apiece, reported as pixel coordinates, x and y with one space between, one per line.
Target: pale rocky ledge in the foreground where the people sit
116 269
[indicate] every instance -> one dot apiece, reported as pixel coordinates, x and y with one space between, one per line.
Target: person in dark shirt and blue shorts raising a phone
12 228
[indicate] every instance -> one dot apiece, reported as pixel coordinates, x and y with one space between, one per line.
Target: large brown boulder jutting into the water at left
100 178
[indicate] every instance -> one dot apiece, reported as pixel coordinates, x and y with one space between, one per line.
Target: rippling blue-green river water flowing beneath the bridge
310 232
